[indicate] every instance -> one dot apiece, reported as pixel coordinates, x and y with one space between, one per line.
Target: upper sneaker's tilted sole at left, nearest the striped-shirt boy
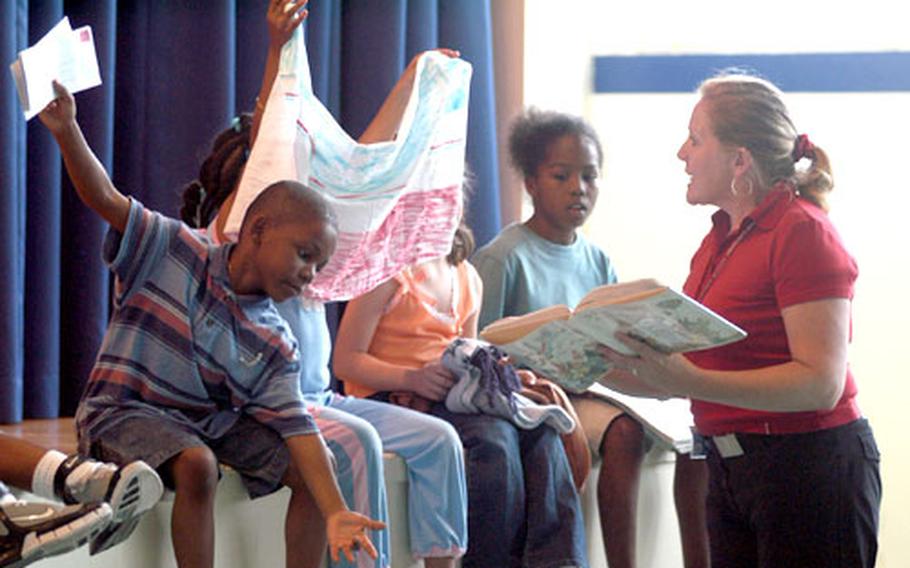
136 491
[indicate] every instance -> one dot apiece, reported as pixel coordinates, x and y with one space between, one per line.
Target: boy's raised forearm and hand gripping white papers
92 183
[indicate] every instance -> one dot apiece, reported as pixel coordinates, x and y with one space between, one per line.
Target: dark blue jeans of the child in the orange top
523 510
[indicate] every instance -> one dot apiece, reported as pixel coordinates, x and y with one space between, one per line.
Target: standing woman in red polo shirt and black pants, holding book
793 465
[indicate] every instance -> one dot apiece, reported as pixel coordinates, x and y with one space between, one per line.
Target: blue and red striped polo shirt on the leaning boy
182 346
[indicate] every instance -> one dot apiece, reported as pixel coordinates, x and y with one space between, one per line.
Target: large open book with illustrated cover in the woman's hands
563 345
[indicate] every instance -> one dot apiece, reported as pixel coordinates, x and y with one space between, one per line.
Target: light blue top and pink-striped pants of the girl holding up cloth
358 431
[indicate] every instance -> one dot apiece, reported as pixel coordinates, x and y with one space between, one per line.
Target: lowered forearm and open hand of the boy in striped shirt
346 530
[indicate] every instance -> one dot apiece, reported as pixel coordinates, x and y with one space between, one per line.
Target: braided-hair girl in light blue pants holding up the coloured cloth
357 431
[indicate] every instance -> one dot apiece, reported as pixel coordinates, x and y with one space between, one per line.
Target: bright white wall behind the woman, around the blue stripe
642 219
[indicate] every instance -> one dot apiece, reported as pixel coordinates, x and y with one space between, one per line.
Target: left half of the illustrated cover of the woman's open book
561 354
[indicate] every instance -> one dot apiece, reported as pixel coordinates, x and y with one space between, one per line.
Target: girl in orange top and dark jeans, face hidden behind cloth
523 509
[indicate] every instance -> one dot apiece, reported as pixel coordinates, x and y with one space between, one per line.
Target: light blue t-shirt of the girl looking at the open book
523 272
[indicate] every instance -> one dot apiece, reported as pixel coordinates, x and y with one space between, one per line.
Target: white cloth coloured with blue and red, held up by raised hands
398 203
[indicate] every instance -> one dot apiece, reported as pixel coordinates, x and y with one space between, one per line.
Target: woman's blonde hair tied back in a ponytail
749 112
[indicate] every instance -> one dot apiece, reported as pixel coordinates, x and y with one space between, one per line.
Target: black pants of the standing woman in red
802 500
